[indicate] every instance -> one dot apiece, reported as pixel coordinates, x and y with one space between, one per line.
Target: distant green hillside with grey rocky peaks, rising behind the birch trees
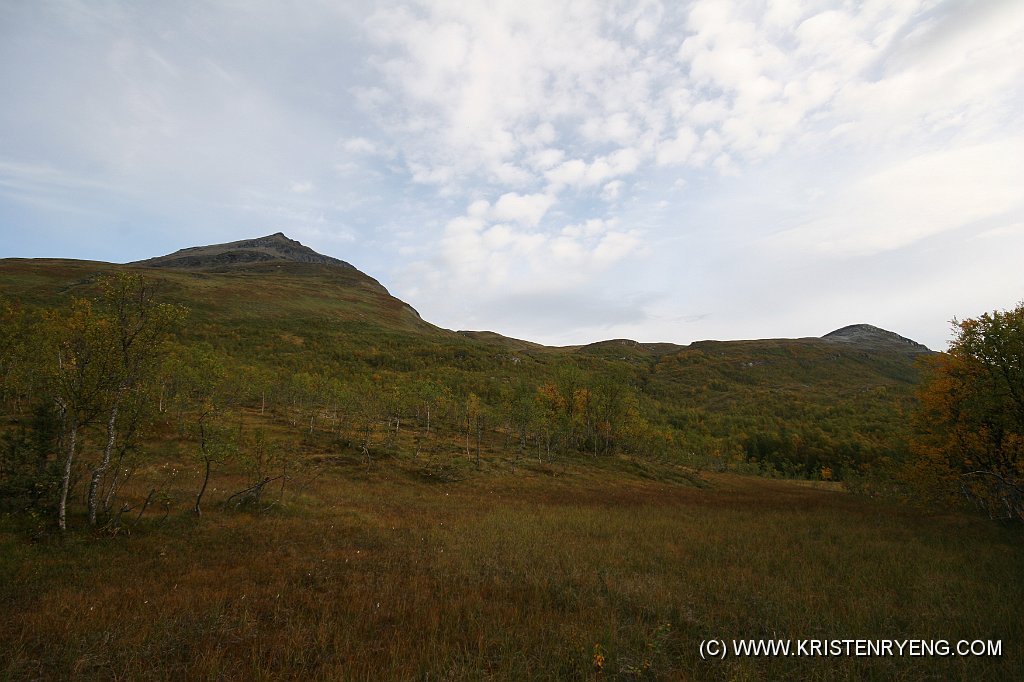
274 307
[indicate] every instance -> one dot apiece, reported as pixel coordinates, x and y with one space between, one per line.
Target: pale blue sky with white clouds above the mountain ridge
563 173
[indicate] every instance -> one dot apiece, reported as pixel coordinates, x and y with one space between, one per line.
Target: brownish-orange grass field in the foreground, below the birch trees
532 573
